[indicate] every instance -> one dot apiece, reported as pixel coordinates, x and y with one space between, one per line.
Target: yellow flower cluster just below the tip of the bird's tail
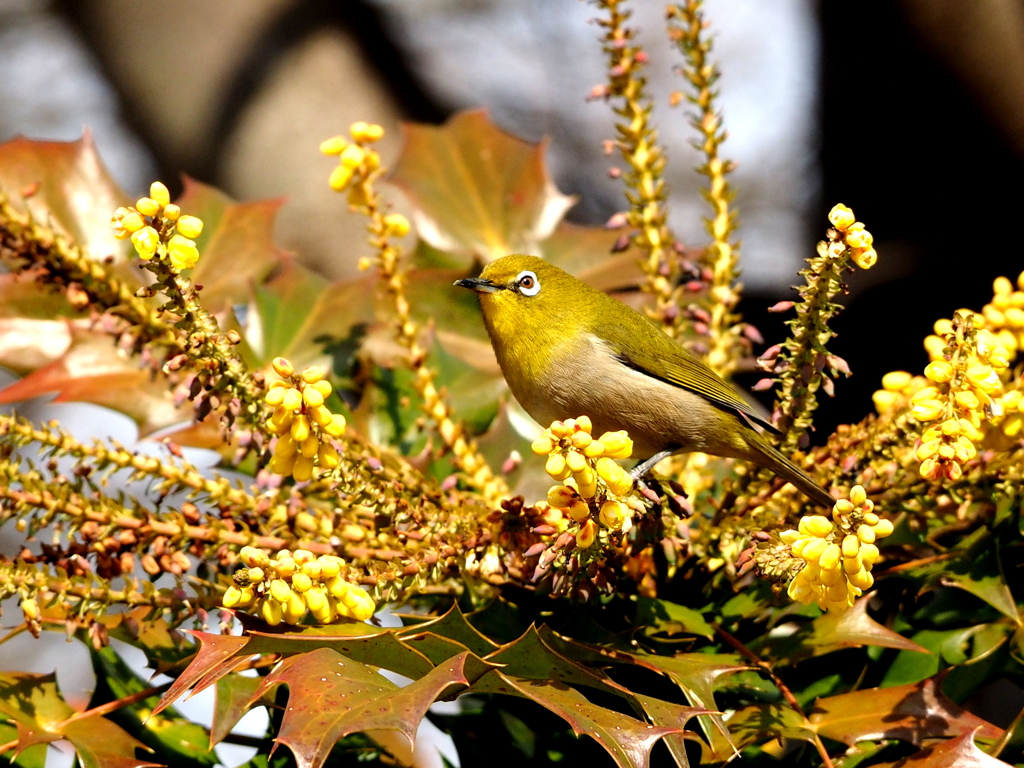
838 553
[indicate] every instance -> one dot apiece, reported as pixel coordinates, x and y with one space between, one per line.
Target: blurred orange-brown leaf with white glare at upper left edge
71 188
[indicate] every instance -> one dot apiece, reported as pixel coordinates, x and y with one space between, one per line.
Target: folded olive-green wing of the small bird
662 358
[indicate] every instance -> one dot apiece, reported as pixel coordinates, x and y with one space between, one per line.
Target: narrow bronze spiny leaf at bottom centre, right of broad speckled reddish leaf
628 741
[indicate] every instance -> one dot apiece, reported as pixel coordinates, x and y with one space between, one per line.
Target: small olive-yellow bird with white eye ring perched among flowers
568 351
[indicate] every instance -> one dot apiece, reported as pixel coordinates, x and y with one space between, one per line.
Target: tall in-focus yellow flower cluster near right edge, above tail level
962 398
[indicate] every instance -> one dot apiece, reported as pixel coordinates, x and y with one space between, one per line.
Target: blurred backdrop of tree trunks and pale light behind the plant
912 112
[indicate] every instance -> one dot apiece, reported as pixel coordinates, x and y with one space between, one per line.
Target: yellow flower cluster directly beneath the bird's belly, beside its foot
590 479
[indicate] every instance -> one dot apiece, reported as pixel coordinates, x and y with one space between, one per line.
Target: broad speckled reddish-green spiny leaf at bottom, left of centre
331 697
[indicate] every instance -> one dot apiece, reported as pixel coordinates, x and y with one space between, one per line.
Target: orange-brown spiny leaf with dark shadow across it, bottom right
910 713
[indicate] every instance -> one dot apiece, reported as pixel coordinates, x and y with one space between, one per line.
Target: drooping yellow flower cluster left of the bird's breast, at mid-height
304 424
